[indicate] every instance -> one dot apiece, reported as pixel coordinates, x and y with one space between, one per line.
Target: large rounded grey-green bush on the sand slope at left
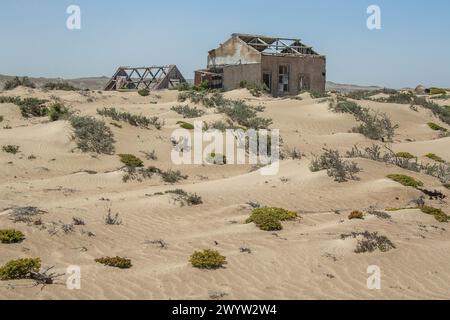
92 135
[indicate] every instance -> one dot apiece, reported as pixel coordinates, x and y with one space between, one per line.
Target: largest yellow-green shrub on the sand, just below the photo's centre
268 219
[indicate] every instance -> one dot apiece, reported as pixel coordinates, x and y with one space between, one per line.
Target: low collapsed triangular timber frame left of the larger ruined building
152 78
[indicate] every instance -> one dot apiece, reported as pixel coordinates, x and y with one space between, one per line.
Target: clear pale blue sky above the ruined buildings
412 47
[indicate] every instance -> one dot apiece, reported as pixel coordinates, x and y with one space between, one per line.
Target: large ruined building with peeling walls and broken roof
284 66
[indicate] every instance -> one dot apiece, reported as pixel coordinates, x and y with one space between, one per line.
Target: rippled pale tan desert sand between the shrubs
306 260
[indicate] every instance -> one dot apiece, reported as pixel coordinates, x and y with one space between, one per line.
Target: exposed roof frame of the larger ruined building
275 46
